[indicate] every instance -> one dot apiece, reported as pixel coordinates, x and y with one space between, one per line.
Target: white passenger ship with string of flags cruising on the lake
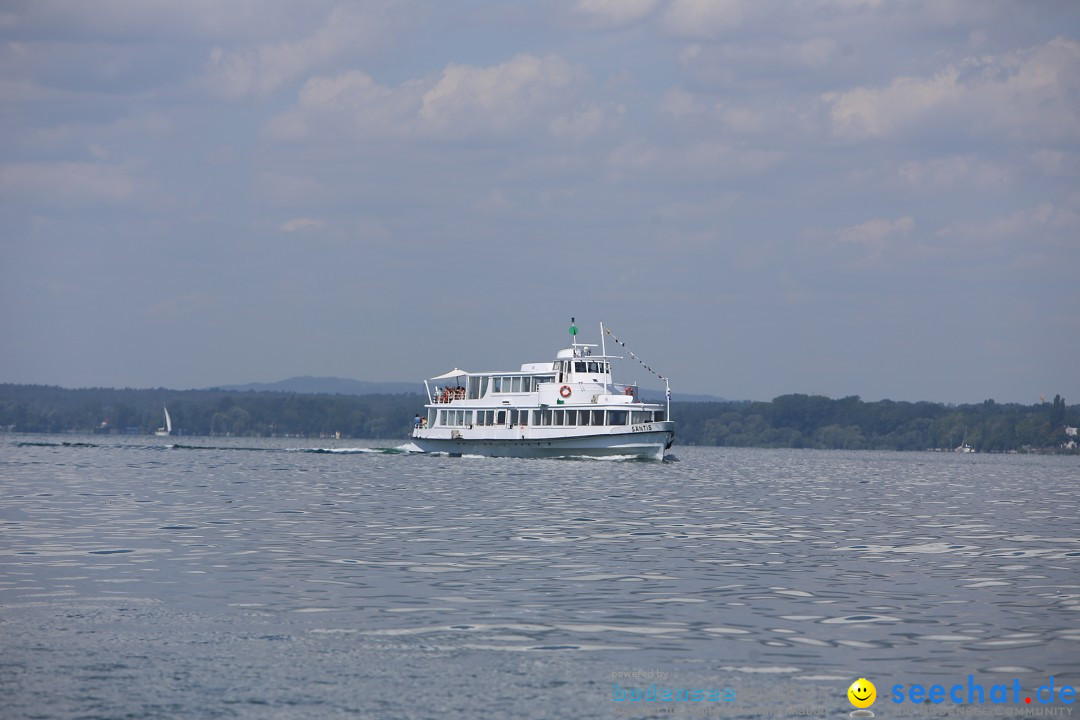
568 407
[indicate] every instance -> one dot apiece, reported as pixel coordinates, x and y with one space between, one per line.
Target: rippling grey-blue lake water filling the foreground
255 579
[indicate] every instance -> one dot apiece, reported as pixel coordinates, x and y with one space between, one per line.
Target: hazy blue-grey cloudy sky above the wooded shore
832 197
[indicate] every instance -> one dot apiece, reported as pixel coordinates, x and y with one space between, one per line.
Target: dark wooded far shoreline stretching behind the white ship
789 422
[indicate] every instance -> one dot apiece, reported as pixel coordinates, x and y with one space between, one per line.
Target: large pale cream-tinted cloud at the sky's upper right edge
1030 93
